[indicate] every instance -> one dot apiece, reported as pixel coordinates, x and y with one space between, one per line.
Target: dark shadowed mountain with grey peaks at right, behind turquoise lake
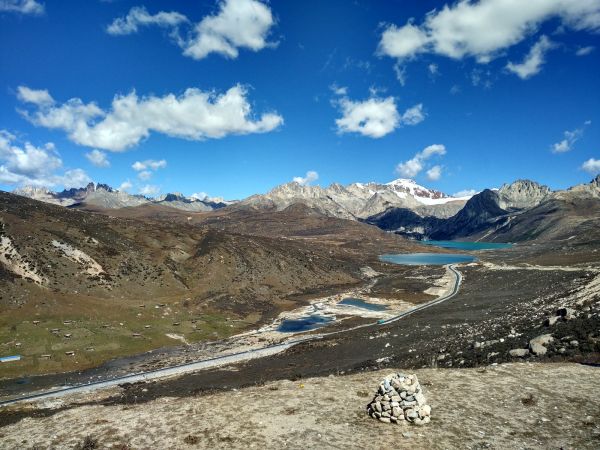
518 211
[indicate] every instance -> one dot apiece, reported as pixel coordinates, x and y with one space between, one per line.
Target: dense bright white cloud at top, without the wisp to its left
238 24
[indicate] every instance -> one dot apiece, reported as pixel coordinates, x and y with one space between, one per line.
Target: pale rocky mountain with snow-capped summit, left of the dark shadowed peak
360 200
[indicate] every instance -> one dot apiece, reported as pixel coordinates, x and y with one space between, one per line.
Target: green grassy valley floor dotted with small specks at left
95 341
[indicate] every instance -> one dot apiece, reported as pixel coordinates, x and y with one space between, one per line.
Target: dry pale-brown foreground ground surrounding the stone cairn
509 406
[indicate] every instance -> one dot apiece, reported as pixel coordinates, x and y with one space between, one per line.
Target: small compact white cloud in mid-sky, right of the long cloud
374 117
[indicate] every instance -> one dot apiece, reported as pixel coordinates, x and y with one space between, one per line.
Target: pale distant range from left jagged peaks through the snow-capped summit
355 201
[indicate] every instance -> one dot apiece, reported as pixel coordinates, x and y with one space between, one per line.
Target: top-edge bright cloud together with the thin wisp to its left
238 24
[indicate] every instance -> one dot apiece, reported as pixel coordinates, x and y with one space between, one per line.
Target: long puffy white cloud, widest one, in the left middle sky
195 115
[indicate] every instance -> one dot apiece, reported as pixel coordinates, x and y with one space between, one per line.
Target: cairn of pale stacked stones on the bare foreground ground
399 399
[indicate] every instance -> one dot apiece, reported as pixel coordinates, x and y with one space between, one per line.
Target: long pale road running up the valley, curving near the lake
222 360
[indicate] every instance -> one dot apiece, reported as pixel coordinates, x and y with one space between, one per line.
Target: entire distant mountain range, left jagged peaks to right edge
401 206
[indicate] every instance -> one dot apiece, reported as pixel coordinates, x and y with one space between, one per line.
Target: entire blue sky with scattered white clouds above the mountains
355 91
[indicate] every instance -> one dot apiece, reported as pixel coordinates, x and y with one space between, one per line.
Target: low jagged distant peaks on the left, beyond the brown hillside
103 196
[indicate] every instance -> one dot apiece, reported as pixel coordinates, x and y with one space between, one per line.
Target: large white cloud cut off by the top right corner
484 29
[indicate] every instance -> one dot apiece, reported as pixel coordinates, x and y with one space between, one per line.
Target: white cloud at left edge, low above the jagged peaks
25 164
